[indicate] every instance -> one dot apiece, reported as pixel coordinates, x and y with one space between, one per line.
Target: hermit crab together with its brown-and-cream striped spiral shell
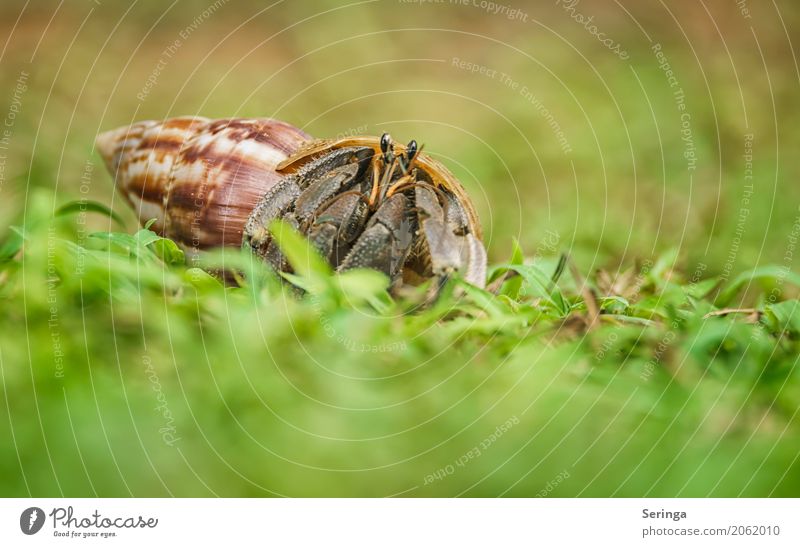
363 202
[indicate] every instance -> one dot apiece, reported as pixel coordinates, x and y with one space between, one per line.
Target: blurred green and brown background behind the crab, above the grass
622 191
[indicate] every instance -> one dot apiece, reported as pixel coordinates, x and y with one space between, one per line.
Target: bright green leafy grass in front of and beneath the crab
153 379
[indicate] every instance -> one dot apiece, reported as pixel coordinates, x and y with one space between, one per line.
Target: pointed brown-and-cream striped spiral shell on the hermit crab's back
198 178
